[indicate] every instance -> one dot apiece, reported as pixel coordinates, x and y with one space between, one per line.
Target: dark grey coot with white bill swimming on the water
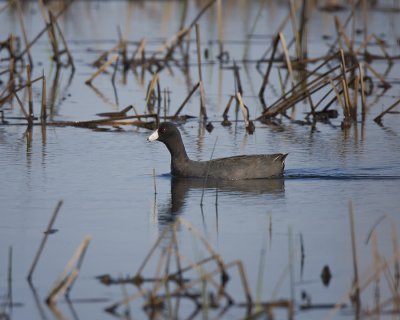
231 168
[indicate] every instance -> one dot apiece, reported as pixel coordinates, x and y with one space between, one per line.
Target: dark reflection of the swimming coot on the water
180 188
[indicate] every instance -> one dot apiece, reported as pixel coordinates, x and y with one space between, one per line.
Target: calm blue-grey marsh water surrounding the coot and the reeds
107 183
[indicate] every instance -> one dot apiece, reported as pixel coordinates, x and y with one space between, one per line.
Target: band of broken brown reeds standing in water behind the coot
344 76
